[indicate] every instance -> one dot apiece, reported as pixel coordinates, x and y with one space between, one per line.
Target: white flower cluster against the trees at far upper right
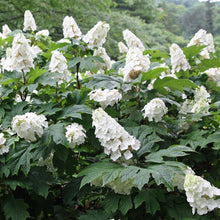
201 38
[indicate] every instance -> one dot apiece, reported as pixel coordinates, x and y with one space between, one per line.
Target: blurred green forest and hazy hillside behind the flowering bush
158 23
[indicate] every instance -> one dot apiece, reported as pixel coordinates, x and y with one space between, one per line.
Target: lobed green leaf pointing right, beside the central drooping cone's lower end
172 151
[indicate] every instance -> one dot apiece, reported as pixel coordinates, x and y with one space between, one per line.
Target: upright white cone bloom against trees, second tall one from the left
70 28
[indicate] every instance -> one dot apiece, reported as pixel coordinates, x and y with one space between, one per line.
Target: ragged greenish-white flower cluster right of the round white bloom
200 104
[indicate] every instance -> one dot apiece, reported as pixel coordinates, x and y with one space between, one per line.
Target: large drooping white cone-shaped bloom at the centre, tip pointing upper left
116 141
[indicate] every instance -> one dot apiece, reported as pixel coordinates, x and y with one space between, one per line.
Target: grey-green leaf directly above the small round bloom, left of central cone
75 111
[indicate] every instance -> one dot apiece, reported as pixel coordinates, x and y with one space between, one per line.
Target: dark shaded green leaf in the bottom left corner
15 209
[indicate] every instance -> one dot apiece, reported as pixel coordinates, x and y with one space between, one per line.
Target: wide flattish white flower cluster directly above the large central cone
105 97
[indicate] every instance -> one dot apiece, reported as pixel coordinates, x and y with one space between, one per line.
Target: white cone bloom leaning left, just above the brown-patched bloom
132 40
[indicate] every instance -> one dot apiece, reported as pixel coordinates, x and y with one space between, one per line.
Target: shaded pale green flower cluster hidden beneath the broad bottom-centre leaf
117 185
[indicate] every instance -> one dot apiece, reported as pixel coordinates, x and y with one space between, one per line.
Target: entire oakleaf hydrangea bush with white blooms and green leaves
137 157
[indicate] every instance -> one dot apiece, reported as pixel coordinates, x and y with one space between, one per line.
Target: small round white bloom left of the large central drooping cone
75 134
